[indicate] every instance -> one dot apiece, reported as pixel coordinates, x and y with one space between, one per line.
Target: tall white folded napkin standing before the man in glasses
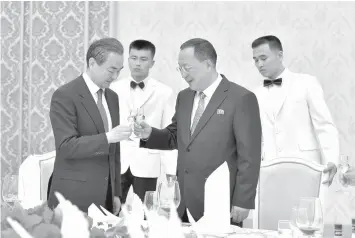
216 218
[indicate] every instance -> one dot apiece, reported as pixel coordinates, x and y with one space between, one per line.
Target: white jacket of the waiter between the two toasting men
158 103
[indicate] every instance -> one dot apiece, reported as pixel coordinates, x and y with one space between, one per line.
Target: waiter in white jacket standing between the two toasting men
141 167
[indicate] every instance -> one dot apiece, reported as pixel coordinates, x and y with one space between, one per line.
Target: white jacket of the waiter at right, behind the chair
303 126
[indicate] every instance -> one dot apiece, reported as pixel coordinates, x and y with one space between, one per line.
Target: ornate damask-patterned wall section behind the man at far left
42 45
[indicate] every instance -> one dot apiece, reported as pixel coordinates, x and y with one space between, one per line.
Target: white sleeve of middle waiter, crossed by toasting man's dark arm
169 158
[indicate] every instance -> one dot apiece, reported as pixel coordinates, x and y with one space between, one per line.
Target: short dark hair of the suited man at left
100 49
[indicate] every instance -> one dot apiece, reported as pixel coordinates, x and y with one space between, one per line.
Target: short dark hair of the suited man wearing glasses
203 49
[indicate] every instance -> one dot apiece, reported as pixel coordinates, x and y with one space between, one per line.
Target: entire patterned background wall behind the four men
43 45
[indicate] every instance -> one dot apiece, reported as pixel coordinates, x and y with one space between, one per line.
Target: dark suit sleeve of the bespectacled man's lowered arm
247 130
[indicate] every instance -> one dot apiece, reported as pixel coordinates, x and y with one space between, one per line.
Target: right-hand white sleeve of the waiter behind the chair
324 127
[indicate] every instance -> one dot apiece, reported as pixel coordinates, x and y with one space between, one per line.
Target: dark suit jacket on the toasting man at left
84 159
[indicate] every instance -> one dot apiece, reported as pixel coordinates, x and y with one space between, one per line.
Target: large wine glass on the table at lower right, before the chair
309 216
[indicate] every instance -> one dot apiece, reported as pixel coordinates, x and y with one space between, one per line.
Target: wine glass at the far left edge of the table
9 190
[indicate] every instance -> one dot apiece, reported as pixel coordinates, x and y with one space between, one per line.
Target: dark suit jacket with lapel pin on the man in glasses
234 137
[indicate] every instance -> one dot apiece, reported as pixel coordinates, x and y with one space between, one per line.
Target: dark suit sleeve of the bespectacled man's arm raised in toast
164 139
